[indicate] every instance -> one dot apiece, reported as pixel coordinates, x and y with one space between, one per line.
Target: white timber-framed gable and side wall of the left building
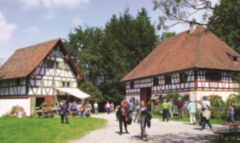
51 73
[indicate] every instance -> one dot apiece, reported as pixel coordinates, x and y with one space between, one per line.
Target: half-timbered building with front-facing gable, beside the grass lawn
33 74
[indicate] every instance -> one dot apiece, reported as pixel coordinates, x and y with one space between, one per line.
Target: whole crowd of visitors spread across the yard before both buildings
126 112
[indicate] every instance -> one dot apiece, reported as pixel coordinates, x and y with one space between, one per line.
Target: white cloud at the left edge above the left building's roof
6 28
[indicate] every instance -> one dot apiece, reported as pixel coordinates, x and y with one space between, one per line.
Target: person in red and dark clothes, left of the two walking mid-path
122 117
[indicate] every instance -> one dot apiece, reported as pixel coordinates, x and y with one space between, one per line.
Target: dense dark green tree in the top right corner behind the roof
225 22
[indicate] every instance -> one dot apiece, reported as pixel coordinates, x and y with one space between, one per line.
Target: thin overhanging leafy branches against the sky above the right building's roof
183 11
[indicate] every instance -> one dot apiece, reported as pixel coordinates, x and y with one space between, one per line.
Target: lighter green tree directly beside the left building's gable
85 45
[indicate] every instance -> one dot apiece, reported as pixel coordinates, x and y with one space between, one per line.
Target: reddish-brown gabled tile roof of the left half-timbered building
25 60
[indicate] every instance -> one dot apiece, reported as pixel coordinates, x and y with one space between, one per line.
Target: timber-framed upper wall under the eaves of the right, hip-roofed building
195 81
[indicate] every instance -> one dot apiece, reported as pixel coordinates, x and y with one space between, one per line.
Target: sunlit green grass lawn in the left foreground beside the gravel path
48 130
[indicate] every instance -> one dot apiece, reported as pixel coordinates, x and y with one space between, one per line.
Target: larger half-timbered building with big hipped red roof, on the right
195 63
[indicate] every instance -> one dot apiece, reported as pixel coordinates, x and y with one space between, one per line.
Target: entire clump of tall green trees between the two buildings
106 55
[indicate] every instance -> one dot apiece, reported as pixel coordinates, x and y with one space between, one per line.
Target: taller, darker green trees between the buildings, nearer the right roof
127 41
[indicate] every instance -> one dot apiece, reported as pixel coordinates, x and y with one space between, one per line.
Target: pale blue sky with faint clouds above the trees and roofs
27 22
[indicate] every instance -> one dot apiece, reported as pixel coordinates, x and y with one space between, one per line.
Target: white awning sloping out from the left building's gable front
74 92
